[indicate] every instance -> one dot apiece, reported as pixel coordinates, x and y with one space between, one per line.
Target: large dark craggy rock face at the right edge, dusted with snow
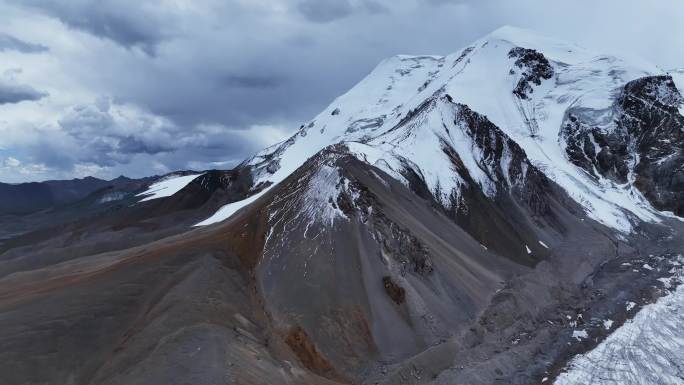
640 140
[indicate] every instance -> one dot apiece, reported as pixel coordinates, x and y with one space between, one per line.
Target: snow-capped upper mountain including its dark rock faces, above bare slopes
579 117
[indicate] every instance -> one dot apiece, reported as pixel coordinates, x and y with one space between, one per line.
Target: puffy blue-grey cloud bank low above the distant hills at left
90 134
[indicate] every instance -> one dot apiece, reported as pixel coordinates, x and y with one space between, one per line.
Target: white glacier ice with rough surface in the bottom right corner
646 350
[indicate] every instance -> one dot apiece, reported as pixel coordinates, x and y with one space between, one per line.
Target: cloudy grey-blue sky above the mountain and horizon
110 87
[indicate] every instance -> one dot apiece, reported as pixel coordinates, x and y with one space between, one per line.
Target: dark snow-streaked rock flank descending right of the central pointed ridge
516 180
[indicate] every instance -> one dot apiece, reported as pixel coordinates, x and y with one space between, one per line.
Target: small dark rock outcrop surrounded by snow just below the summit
535 68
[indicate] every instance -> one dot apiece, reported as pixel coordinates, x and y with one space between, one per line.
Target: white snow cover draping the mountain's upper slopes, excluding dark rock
367 119
